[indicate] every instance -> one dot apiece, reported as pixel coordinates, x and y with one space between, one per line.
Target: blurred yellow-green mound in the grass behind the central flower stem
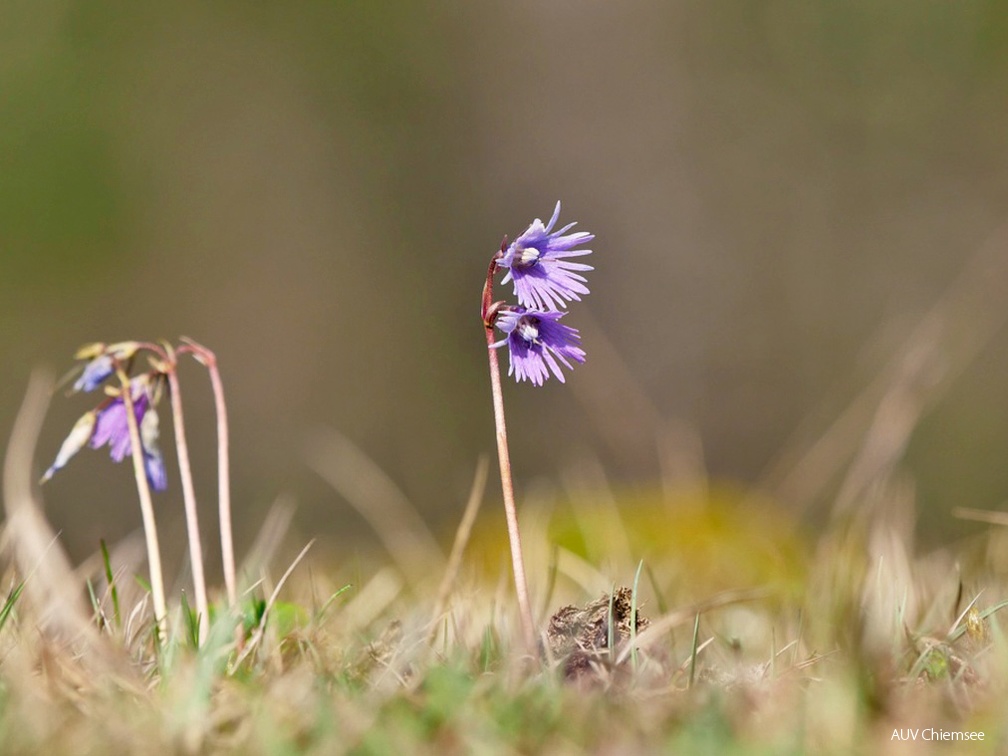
701 542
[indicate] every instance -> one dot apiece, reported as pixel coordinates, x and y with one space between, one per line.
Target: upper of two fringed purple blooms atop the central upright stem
537 263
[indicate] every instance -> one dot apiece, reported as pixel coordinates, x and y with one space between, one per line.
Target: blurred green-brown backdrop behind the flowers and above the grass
314 190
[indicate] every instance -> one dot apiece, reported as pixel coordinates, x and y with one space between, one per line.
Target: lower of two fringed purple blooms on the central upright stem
536 342
